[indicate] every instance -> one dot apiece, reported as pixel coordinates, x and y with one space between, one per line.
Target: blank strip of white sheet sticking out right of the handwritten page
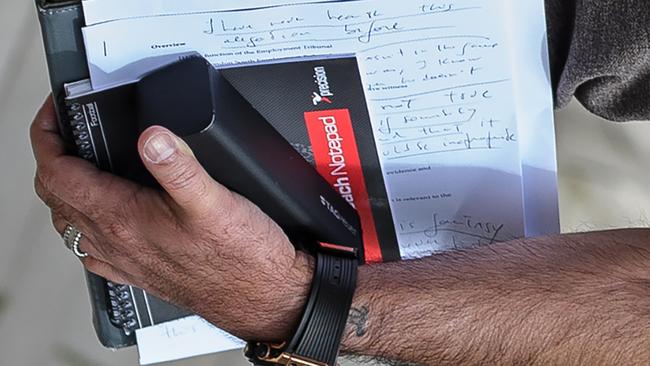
534 100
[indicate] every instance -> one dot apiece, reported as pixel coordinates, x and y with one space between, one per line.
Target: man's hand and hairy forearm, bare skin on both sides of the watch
564 300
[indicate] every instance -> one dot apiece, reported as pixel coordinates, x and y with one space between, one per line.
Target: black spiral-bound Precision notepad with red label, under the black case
318 105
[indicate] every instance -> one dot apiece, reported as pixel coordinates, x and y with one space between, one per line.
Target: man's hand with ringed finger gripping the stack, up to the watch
196 243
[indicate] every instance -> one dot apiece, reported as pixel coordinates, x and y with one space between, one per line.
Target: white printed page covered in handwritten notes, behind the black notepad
440 84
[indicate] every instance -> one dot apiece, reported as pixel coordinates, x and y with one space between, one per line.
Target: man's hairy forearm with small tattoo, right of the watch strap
581 299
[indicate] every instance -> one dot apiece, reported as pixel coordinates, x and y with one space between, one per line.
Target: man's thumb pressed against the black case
172 163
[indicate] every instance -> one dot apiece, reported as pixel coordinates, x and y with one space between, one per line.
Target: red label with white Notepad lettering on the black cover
337 160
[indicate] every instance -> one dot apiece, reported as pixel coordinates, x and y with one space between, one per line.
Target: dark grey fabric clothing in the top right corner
600 52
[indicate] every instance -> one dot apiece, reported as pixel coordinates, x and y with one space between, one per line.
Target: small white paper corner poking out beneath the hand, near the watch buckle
183 338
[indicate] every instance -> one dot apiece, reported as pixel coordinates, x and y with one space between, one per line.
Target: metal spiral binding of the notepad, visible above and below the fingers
121 313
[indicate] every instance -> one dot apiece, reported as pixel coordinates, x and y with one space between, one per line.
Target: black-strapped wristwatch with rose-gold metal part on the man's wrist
316 341
